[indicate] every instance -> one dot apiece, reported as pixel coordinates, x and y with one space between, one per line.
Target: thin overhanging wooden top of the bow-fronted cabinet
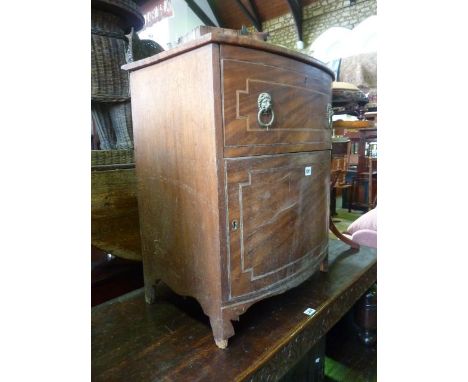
218 36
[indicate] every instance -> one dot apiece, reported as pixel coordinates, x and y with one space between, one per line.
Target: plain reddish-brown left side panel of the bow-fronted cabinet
175 155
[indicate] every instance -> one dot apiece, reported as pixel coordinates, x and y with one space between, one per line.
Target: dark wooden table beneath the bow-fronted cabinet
172 340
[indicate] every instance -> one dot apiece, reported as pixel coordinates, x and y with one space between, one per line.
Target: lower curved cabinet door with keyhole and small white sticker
277 217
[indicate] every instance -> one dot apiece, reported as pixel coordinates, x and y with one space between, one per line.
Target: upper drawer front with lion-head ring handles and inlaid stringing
299 95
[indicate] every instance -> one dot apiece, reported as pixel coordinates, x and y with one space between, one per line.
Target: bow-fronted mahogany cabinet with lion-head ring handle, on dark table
232 152
